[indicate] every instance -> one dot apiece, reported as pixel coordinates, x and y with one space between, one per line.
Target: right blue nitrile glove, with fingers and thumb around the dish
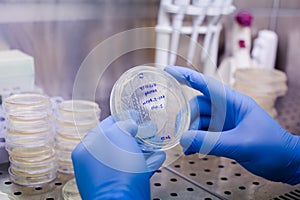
248 134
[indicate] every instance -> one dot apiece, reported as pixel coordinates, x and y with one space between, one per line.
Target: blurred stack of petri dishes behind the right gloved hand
263 85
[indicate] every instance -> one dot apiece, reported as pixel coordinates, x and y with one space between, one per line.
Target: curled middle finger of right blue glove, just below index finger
200 105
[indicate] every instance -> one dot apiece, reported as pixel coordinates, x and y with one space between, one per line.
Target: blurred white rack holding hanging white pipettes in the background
168 31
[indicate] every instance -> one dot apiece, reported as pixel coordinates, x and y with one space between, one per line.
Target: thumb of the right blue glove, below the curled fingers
211 143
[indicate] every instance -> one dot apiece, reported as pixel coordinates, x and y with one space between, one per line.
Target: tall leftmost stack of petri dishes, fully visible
30 139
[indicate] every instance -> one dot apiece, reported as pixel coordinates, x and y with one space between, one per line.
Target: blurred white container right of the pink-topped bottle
265 49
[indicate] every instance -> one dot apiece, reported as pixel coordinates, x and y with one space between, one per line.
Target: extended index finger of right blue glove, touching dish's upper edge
207 85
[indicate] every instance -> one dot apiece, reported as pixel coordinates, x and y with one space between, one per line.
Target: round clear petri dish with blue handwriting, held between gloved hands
157 103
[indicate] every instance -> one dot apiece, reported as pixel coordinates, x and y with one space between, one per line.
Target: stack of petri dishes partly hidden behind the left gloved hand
74 118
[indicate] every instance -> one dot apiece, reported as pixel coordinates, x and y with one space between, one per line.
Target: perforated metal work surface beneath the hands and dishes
194 176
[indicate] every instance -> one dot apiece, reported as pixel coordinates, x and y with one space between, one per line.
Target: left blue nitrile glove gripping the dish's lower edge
109 164
